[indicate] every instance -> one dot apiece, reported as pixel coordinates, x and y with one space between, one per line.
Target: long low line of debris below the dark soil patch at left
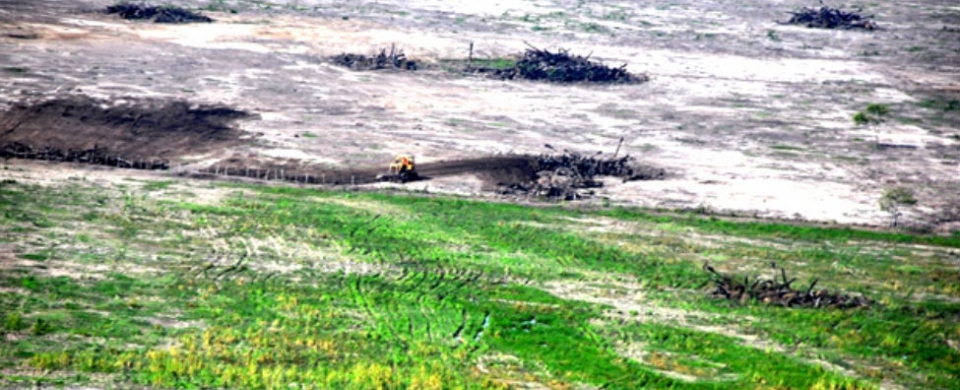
97 155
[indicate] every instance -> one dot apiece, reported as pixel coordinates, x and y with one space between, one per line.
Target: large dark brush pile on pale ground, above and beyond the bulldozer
562 67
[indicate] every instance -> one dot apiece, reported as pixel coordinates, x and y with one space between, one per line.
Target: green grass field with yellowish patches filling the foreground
170 284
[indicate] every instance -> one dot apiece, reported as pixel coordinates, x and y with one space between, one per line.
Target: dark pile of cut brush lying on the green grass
772 291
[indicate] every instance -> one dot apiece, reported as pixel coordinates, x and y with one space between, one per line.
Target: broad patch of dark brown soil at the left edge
138 130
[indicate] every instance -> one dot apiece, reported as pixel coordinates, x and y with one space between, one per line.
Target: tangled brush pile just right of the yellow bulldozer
567 175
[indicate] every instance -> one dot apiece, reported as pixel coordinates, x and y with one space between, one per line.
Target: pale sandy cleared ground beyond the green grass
747 114
